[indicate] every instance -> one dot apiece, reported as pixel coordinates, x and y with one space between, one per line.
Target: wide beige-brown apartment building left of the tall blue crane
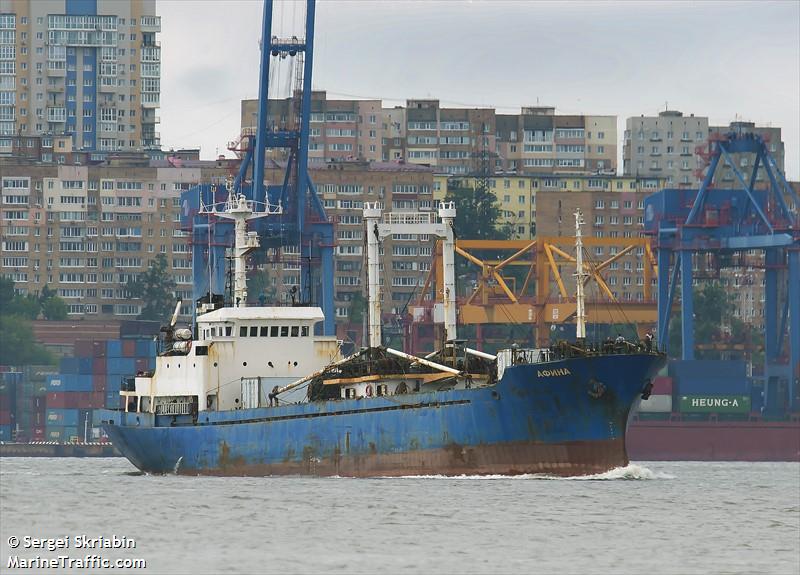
84 231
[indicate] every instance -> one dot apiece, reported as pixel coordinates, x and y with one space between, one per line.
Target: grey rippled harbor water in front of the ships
647 518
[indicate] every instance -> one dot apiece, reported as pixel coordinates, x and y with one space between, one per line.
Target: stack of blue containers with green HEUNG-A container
706 387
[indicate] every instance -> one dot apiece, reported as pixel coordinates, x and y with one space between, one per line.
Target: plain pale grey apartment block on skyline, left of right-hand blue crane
665 146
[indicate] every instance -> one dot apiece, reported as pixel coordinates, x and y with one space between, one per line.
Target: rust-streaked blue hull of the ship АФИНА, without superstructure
566 417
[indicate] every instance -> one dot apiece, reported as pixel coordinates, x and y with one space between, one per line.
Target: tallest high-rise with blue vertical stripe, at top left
90 69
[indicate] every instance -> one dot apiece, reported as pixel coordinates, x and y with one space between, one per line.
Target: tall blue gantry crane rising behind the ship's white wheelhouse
303 222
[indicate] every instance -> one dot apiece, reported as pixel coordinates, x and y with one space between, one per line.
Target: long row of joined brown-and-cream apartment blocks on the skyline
455 141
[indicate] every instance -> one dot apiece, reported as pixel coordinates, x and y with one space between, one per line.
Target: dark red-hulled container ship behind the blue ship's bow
707 410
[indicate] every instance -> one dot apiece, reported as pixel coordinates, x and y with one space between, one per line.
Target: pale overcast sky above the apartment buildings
723 59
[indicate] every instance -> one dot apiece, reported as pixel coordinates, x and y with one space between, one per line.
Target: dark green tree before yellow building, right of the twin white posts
477 214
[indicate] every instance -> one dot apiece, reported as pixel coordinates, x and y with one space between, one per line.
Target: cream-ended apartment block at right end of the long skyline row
539 141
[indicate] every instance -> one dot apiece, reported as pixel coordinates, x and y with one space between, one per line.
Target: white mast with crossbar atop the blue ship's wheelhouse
239 209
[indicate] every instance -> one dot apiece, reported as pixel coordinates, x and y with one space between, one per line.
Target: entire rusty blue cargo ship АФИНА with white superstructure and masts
252 390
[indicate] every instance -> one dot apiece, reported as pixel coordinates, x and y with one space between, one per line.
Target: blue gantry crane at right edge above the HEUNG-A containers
723 223
